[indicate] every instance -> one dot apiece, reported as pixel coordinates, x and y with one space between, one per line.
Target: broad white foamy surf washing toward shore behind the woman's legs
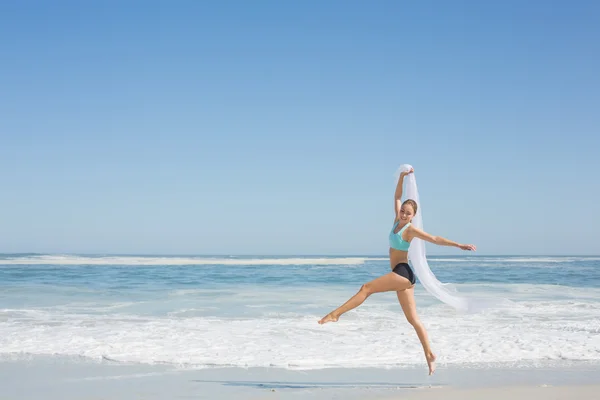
375 334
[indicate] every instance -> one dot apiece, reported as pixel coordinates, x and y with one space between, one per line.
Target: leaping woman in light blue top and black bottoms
401 279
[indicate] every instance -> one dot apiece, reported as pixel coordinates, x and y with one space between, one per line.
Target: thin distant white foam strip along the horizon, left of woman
147 260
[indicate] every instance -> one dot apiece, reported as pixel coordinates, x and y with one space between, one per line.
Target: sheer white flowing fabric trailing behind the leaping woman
418 259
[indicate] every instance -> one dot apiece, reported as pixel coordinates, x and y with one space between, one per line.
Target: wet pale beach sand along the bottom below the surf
55 378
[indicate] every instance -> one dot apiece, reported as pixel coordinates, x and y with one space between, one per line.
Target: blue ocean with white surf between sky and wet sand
223 311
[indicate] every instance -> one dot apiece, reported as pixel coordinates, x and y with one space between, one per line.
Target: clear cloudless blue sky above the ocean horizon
275 127
